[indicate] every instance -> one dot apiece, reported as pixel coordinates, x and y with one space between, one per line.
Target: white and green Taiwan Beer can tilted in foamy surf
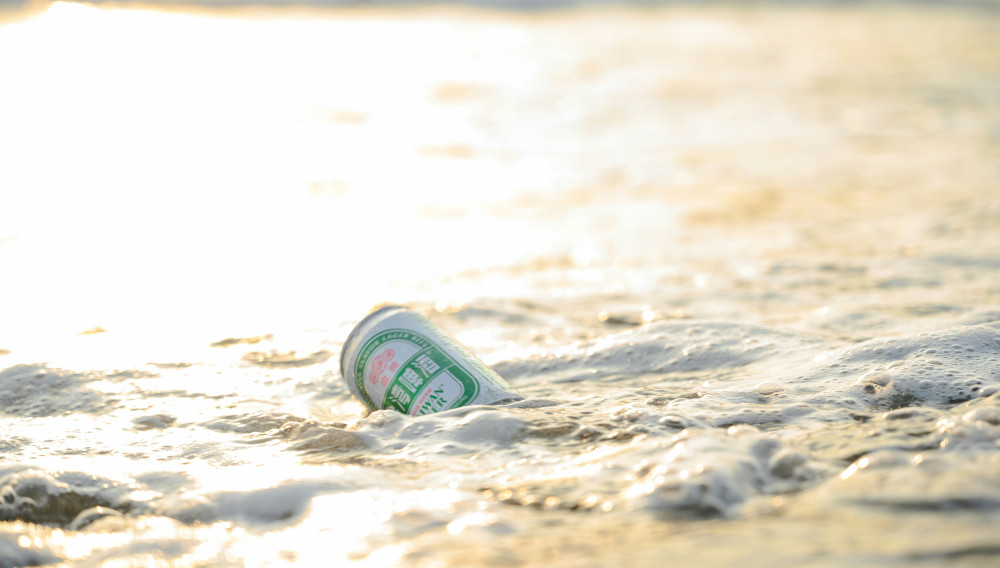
395 358
